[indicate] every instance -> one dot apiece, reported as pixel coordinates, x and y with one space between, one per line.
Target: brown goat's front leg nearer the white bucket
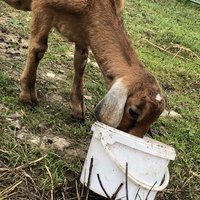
77 94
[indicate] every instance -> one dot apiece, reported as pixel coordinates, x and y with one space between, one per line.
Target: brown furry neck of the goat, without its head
109 42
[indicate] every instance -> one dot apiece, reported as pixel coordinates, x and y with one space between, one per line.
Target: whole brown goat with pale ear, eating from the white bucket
134 99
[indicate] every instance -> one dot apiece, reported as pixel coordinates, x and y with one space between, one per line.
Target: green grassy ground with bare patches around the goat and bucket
166 37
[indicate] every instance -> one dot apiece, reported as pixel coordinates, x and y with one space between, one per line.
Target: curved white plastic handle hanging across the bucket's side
144 185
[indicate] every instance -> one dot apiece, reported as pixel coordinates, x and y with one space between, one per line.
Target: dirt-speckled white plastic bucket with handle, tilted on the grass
119 161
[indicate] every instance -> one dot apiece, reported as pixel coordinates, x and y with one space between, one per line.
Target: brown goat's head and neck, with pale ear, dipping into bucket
134 99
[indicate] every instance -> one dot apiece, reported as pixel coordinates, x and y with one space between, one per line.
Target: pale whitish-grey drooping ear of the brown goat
110 109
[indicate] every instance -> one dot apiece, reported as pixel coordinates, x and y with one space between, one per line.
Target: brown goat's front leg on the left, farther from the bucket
37 46
